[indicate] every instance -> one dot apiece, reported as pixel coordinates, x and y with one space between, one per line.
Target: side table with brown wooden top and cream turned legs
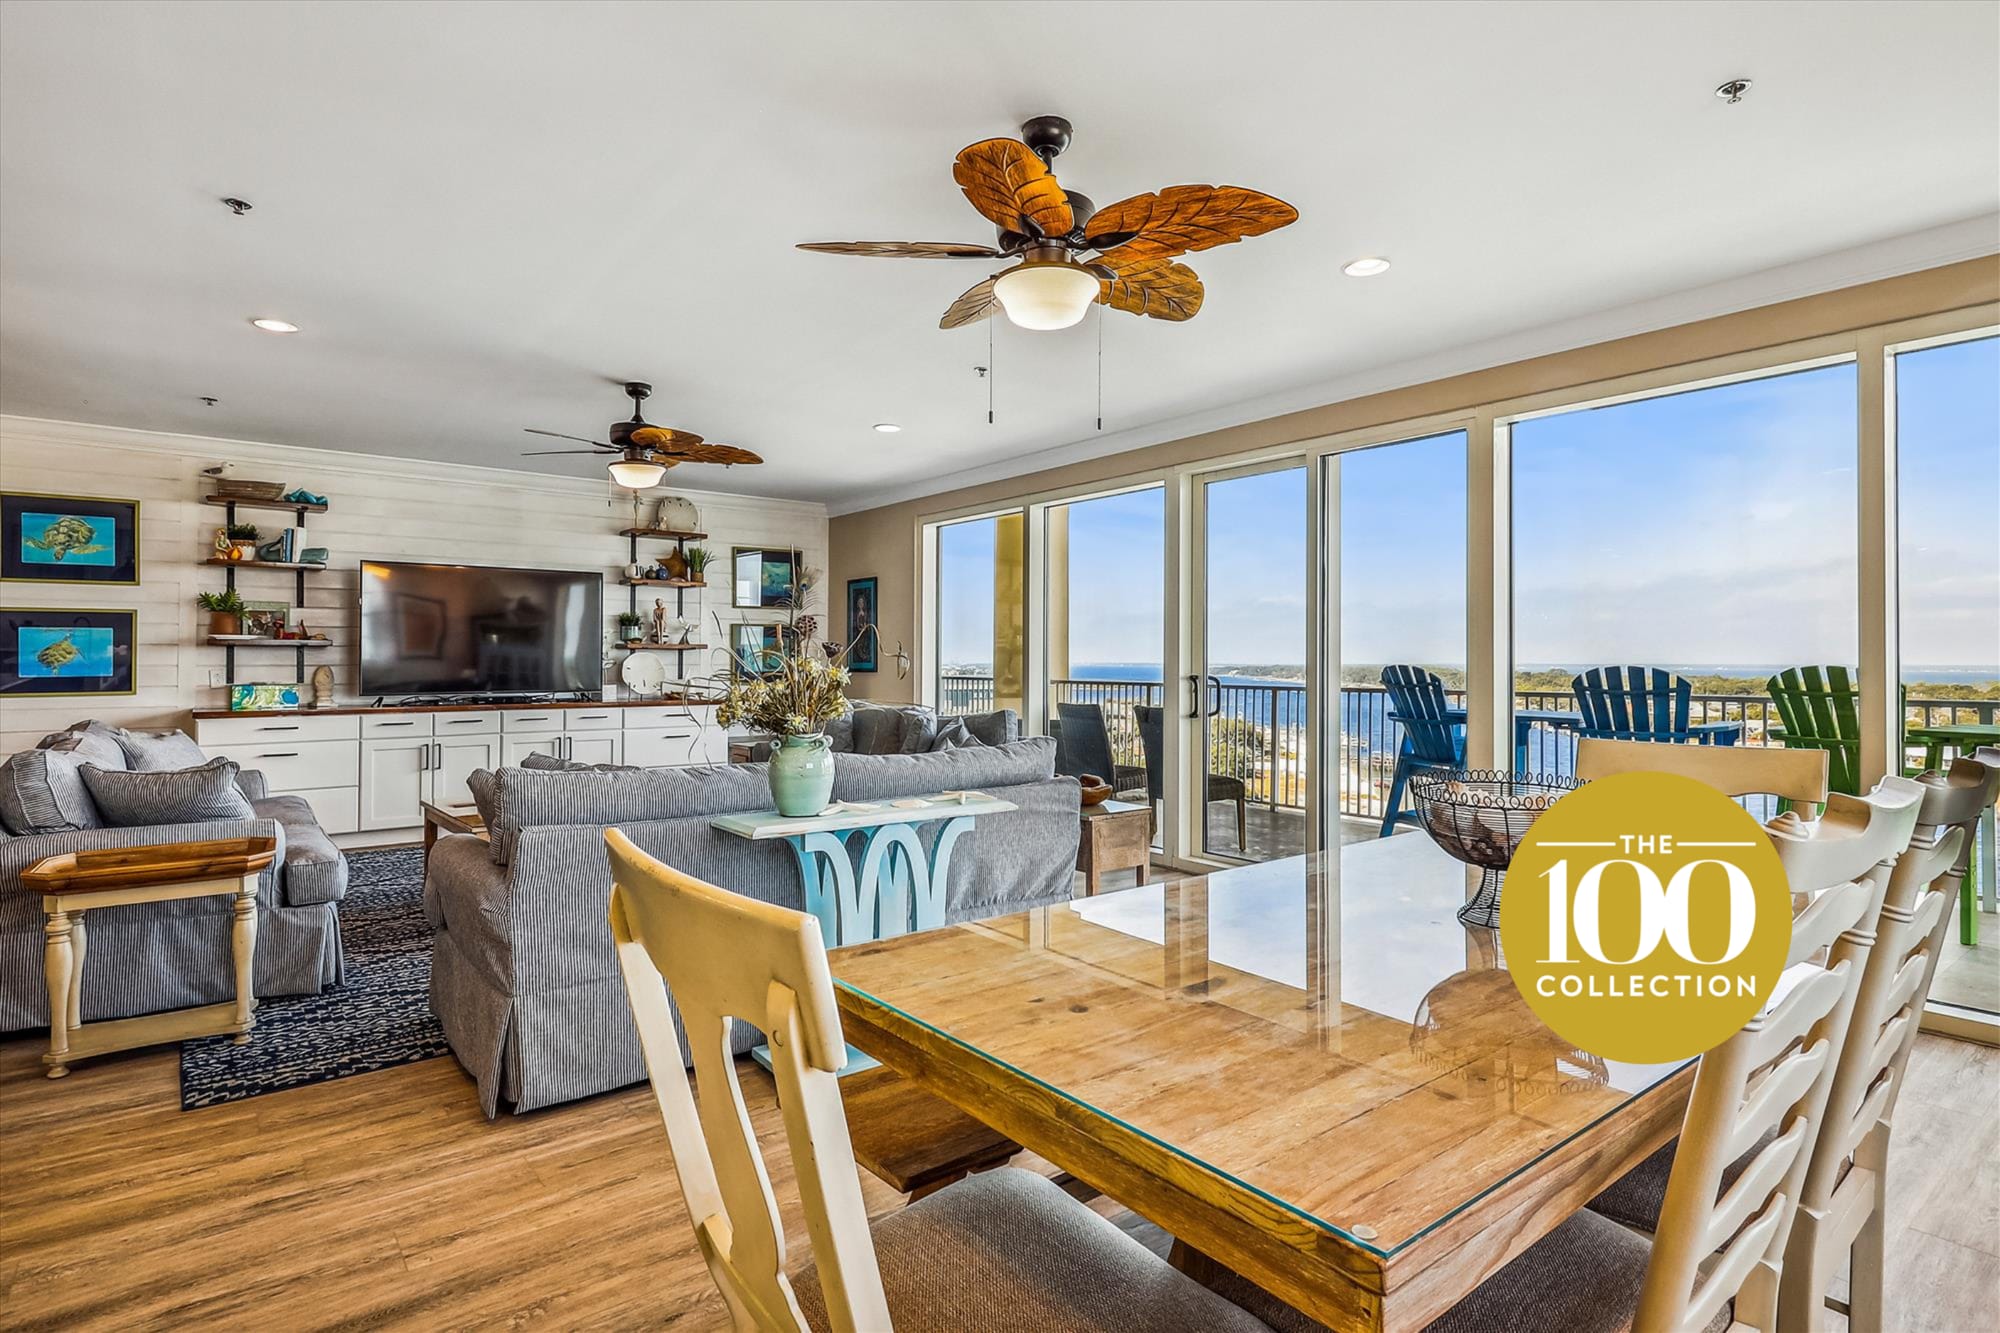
79 884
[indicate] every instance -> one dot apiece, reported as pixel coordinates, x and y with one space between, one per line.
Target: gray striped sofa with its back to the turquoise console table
523 972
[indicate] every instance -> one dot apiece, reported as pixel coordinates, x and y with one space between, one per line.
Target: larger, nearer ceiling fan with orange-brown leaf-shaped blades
1071 251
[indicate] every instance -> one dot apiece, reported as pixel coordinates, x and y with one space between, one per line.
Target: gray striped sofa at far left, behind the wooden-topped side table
169 956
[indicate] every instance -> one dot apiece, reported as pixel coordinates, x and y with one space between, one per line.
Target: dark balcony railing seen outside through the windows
1259 734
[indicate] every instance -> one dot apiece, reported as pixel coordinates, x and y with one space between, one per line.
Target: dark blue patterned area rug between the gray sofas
377 1020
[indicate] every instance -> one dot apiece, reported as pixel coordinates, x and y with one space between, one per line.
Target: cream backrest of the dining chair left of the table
733 958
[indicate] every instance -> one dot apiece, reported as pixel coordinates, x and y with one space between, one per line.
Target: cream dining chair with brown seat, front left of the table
1005 1248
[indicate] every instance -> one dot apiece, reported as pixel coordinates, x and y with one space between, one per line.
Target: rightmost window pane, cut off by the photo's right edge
1949 637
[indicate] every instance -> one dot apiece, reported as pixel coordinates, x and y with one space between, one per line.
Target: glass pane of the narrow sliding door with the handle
1243 704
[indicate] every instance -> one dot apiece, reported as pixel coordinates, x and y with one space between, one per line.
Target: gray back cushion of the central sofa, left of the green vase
529 798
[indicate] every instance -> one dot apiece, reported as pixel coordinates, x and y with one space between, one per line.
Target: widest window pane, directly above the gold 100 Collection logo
1709 533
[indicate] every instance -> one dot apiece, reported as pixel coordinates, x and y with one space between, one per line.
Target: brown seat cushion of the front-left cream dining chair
1011 1250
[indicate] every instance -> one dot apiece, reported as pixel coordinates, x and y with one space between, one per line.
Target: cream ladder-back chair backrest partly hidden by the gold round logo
1775 1076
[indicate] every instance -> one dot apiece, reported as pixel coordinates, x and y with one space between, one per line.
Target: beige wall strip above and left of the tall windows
885 541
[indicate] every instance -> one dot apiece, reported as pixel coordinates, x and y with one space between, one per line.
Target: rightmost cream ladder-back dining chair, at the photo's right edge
1843 1204
